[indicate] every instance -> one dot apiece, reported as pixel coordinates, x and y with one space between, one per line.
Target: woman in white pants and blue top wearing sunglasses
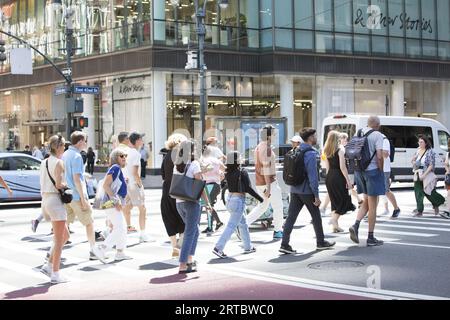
116 189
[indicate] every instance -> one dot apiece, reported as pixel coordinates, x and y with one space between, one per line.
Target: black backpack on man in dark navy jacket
294 171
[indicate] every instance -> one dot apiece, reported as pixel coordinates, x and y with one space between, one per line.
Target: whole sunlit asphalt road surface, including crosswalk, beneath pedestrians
413 263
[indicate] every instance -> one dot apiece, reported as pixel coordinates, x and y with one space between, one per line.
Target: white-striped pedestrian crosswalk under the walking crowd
22 252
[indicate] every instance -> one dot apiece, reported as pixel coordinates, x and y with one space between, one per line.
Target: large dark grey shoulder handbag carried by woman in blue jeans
186 188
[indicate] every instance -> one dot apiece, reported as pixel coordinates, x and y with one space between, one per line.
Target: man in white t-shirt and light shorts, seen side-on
135 195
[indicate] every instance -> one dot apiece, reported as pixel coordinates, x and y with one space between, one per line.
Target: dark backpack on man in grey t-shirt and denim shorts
357 152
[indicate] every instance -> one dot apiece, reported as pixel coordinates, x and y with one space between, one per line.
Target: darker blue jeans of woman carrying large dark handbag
190 214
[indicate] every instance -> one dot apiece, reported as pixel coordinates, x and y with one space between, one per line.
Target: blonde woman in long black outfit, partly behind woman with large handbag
172 220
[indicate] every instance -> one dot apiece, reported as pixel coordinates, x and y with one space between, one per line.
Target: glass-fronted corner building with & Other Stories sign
286 62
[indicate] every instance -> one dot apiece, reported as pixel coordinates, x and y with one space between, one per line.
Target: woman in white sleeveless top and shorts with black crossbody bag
52 180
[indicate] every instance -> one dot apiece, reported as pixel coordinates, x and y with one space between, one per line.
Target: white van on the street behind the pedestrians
404 133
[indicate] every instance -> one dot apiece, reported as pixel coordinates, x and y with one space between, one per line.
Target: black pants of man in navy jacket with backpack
296 204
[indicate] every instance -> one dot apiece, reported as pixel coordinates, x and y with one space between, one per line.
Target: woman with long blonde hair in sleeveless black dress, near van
338 182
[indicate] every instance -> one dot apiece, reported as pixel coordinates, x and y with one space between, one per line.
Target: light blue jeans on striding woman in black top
236 206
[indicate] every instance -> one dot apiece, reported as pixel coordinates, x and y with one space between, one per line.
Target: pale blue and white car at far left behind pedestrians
22 173
